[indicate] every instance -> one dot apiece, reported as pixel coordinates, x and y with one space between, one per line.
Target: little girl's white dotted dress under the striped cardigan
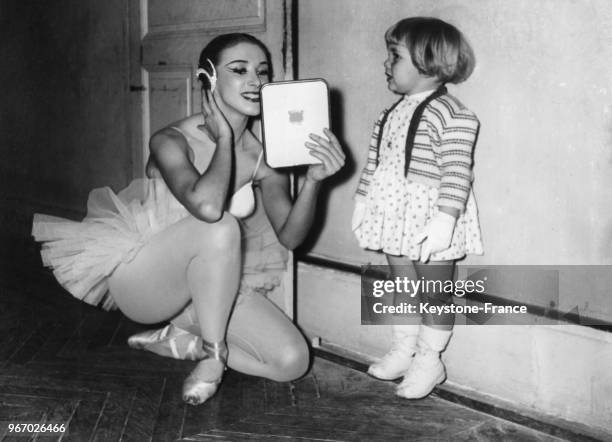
397 208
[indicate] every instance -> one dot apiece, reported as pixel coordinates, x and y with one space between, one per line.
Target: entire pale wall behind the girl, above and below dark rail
543 184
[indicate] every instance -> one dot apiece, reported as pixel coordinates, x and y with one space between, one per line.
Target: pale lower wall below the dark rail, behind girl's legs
557 371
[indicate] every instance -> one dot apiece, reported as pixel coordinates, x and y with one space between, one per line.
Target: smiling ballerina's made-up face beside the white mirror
242 70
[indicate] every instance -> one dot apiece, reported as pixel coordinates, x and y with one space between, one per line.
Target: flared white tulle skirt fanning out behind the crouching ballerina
83 254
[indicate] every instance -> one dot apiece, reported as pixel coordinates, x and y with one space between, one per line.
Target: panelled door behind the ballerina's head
166 38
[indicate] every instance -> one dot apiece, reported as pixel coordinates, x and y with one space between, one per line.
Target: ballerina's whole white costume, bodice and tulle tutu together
83 254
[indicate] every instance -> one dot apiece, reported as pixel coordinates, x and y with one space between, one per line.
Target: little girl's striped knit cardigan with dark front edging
441 154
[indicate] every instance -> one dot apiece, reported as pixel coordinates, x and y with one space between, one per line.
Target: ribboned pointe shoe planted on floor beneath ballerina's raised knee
196 390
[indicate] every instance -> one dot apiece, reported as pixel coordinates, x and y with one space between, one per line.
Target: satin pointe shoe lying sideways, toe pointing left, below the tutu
169 341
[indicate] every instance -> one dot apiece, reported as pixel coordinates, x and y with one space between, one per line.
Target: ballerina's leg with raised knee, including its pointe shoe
189 260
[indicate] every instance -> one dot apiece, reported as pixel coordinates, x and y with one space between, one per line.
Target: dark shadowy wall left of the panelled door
63 125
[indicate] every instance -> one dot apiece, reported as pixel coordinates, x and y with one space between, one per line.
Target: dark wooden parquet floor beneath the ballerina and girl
63 361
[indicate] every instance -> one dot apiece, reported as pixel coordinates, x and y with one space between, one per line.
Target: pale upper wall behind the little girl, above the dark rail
542 91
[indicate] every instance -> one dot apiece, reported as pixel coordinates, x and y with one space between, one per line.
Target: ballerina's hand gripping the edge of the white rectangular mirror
329 152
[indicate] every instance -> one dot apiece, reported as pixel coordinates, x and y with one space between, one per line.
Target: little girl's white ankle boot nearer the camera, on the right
426 370
